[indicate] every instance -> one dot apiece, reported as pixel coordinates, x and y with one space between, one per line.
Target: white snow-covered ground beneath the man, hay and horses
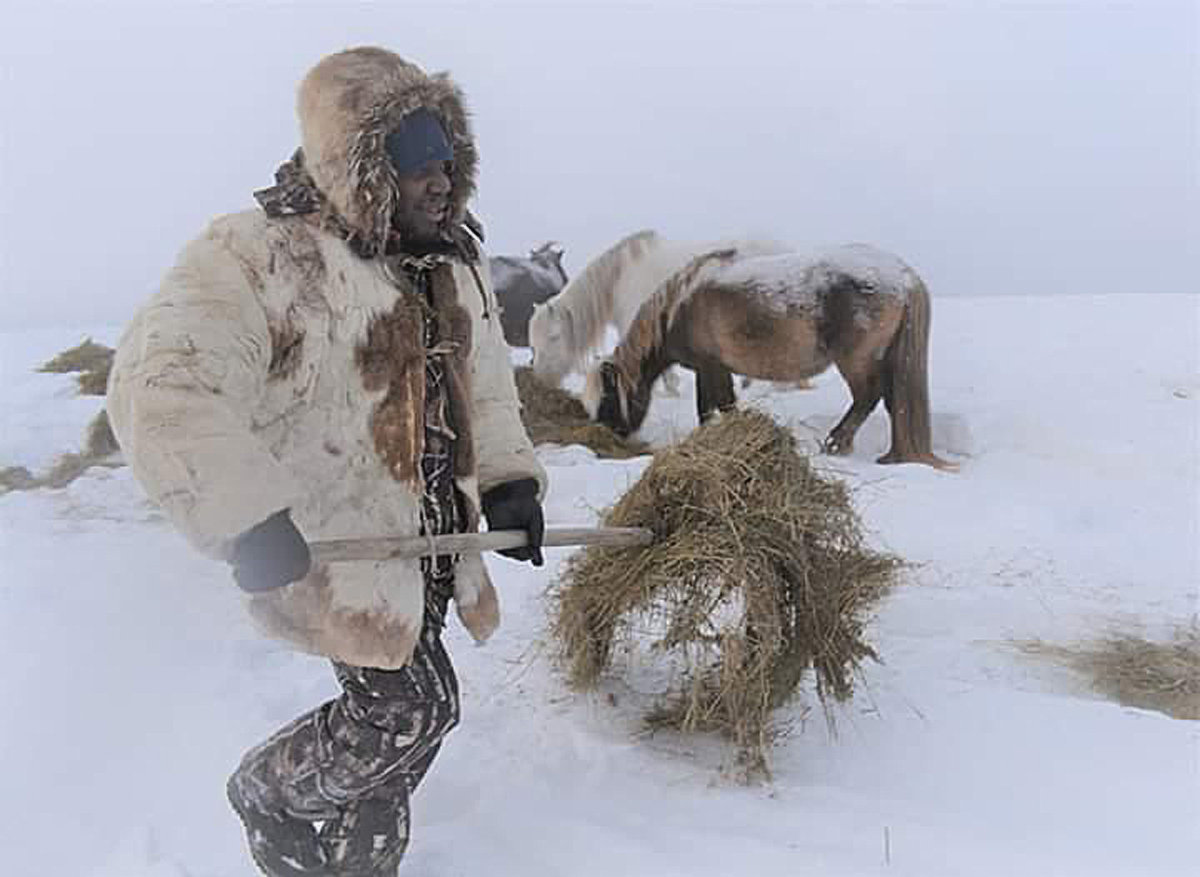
133 683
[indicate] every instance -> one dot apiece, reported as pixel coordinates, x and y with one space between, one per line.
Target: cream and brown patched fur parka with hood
281 365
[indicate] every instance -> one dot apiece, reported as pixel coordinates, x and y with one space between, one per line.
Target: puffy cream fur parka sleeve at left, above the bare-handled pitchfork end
187 380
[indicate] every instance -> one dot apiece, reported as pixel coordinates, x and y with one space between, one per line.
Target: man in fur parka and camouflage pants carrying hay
333 367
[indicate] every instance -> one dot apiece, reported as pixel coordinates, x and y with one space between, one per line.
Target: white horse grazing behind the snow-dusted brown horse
568 328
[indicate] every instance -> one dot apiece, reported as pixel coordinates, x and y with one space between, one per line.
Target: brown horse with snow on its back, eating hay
783 317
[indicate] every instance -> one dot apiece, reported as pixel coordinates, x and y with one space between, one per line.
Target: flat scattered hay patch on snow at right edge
1138 672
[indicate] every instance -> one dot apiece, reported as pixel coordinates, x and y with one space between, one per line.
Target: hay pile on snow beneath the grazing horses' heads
555 416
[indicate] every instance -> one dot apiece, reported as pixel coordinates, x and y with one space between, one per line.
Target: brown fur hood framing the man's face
347 106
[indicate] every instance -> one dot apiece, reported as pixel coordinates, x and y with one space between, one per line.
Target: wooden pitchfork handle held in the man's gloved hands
387 548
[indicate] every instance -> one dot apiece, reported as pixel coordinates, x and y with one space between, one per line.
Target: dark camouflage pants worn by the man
328 795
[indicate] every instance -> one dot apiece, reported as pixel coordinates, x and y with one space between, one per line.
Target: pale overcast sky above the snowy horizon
999 147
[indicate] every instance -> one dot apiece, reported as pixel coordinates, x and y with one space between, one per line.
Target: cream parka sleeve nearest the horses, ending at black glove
502 444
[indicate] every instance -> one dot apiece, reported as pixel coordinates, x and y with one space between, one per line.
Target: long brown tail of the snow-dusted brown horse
907 388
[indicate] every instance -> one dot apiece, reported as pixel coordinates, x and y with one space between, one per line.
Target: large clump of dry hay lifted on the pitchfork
758 574
